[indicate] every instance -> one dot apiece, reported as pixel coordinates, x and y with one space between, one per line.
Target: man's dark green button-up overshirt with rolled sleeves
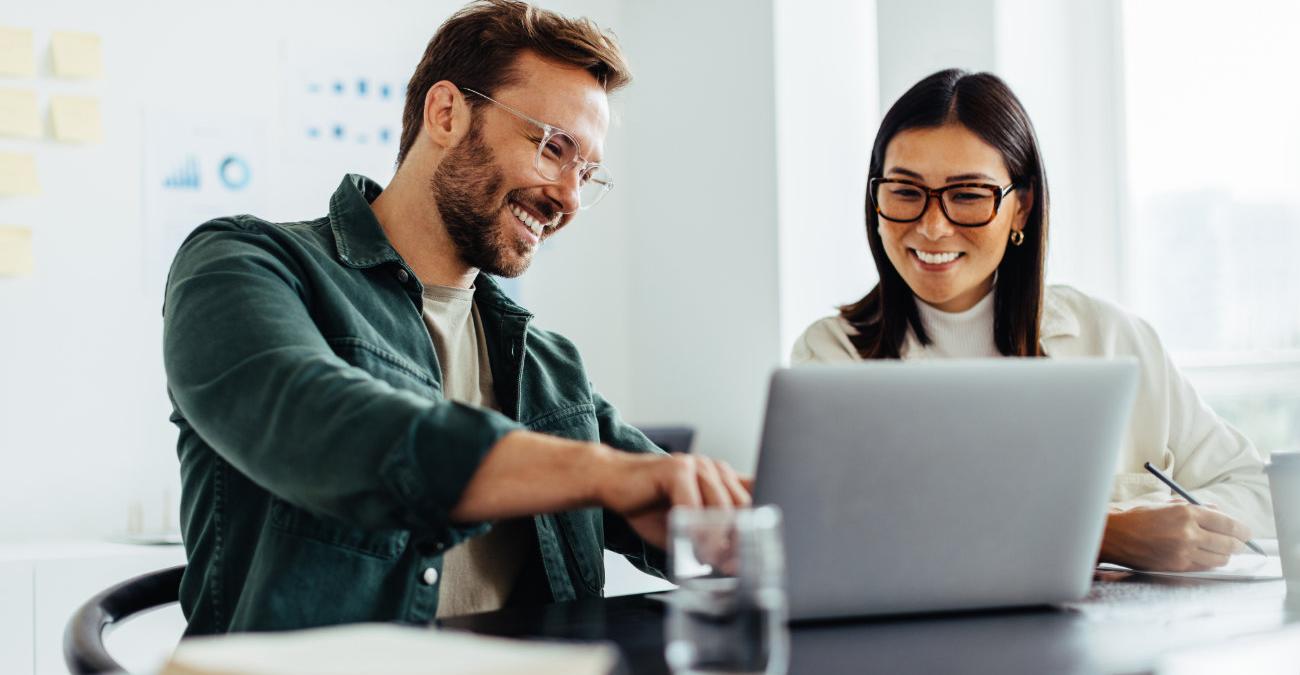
320 461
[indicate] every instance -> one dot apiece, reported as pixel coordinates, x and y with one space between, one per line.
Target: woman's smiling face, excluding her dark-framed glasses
939 157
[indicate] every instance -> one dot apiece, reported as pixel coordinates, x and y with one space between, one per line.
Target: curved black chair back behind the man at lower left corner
84 639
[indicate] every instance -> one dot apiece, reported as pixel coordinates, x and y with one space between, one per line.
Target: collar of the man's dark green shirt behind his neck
358 236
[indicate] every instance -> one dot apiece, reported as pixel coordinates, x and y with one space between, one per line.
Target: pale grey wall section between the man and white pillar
703 218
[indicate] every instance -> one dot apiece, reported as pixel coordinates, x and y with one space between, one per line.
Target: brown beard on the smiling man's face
465 188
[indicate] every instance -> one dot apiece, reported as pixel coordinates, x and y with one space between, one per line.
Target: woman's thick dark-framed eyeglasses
965 205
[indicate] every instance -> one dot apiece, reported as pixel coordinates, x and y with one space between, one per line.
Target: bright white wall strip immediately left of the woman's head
827 118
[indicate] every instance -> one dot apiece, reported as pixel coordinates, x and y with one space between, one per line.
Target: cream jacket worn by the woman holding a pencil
1172 427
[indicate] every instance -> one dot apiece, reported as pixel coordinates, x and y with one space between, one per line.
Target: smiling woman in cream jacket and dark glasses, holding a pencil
957 220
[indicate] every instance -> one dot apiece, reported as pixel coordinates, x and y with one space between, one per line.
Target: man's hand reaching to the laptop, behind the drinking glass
643 490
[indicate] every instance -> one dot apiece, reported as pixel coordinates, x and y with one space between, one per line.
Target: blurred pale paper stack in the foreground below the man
384 648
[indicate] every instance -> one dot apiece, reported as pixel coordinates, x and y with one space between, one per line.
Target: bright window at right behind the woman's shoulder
1215 200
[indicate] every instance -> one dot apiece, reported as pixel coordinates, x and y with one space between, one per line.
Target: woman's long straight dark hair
986 106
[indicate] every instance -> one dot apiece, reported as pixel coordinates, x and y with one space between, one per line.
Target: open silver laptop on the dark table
942 486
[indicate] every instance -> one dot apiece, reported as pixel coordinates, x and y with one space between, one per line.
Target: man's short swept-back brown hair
478 47
